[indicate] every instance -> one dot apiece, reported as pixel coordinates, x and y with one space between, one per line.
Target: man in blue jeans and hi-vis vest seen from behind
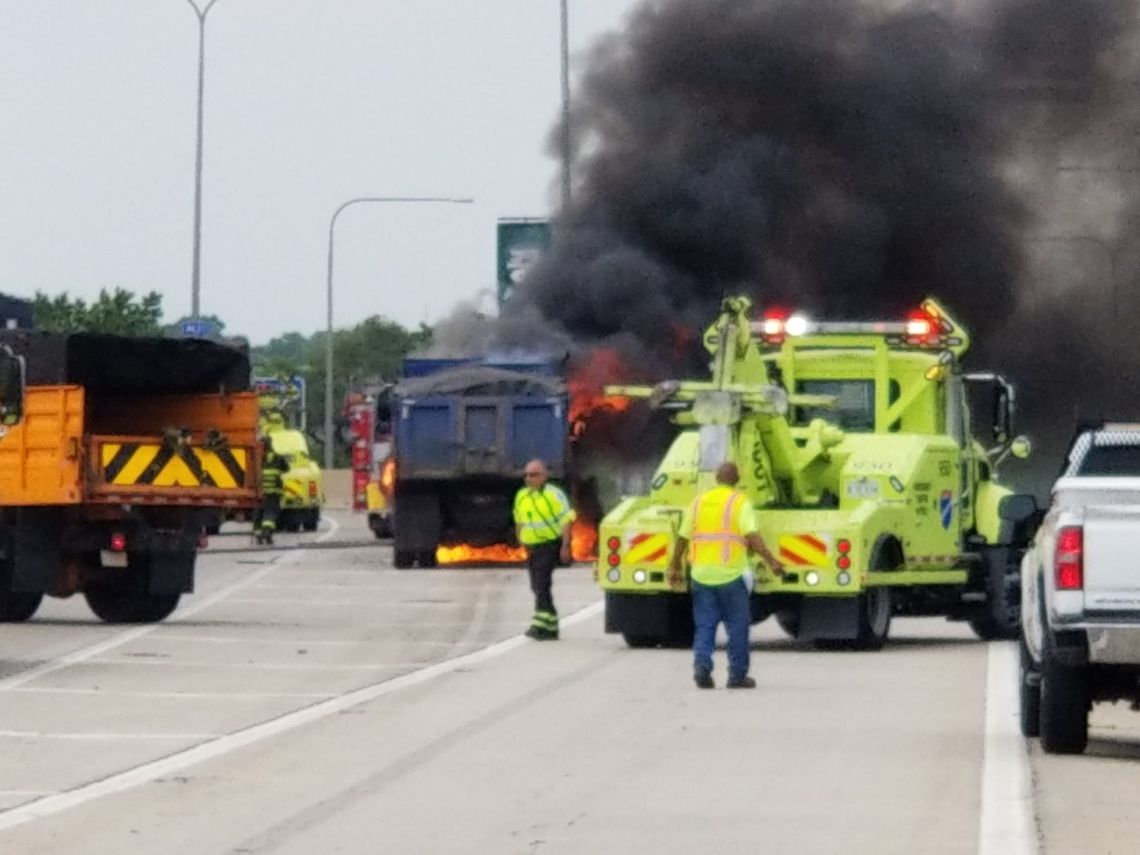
716 534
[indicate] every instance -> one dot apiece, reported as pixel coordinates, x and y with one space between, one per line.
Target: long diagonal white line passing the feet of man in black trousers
52 805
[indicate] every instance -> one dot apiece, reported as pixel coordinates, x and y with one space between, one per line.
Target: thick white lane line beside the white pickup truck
1006 826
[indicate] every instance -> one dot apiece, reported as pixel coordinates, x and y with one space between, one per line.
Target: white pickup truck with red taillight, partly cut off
1081 592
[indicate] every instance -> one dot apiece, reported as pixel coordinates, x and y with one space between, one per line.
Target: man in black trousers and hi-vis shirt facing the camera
542 520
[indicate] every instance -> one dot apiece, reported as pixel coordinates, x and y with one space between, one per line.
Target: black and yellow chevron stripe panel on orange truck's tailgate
161 466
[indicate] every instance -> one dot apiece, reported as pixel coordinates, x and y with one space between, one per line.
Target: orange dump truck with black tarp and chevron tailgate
125 447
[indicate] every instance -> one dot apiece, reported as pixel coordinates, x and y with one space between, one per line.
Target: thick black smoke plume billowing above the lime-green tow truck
849 159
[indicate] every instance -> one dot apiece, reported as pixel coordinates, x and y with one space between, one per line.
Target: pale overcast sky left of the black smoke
308 103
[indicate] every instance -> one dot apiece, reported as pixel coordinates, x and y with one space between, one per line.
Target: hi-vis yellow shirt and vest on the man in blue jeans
715 526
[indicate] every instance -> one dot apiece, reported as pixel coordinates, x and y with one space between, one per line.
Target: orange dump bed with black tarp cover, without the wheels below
115 420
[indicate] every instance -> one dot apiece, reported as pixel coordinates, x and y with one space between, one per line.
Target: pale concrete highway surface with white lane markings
316 701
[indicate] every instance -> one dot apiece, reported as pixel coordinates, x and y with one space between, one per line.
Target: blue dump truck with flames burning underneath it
463 433
